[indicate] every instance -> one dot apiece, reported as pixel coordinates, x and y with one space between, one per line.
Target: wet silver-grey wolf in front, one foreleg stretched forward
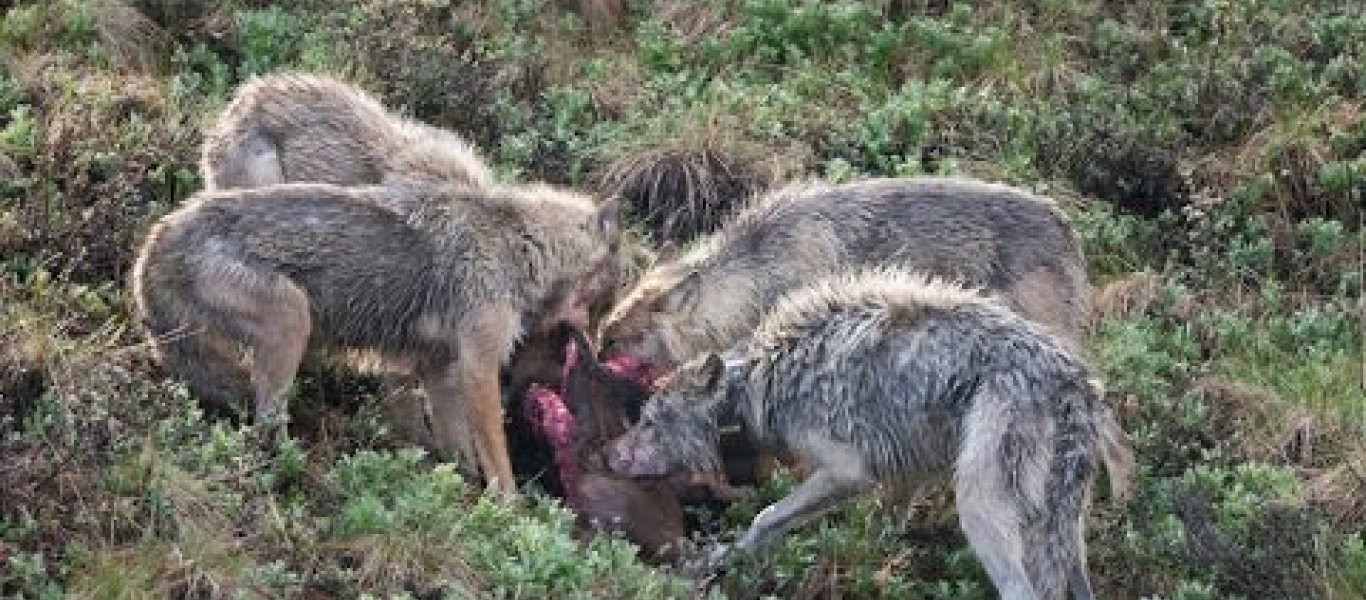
887 378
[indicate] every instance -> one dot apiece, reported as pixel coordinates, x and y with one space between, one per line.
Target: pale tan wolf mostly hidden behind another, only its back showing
298 128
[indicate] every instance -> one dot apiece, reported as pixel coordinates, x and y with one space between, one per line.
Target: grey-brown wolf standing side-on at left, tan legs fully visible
236 286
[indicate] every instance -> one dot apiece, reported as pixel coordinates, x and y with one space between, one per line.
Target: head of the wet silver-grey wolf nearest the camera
680 427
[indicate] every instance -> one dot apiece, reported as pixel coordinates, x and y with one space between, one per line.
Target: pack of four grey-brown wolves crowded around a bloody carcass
894 334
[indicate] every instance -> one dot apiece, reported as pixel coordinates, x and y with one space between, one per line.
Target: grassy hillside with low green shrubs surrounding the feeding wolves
1212 155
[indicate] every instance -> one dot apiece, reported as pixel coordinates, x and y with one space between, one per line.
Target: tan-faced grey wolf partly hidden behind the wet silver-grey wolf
1002 240
